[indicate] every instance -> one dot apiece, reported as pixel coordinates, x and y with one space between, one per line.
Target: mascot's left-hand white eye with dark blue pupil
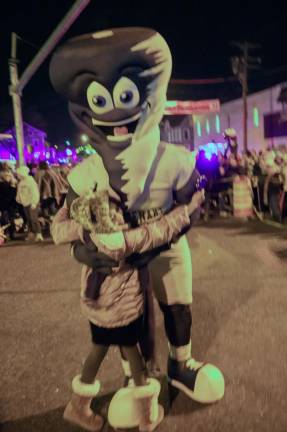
99 99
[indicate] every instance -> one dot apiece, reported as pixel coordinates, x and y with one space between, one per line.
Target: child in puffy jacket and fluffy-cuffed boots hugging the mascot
114 303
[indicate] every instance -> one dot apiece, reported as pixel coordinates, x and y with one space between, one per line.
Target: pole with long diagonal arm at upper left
17 85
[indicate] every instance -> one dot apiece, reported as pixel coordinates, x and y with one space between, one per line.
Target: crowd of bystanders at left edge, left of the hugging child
30 196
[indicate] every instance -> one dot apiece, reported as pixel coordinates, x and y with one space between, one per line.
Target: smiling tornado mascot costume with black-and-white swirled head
116 82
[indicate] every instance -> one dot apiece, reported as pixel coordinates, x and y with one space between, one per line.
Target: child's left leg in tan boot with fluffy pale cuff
85 388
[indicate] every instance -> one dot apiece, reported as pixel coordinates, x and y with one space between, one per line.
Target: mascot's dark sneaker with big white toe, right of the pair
202 382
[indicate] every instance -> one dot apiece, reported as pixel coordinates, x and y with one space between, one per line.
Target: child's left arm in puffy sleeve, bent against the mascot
64 229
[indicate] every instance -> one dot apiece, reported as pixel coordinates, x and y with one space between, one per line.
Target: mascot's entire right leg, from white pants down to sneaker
172 282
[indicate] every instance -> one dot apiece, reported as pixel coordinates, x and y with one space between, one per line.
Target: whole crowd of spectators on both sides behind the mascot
31 196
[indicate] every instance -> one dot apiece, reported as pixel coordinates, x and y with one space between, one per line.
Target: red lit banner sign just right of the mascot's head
192 107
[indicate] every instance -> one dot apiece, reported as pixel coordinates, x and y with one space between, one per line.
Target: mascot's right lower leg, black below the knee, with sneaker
202 382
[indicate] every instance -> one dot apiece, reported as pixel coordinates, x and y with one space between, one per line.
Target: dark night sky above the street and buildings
198 33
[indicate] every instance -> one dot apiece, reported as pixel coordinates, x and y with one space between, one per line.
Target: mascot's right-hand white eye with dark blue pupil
126 94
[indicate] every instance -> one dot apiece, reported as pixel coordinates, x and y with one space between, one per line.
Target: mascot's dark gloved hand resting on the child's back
93 258
